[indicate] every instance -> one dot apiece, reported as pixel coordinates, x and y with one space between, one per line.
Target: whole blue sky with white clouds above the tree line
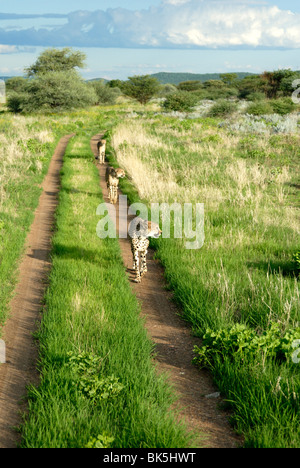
122 38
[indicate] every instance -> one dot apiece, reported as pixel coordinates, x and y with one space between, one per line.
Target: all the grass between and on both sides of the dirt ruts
97 379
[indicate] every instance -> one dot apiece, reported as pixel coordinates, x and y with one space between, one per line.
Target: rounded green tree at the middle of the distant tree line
141 88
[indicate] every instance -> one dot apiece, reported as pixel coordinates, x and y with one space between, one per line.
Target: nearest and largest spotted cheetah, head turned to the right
140 231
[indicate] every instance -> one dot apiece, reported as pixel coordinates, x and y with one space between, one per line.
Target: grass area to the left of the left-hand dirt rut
26 147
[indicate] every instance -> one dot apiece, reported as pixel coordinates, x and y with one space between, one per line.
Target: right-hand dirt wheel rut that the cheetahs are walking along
174 345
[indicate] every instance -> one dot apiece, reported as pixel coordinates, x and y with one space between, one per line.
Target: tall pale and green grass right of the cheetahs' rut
245 272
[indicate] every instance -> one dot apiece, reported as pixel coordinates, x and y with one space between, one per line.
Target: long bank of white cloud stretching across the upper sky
173 24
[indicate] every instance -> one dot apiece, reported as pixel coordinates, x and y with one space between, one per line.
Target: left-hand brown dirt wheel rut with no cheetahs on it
25 307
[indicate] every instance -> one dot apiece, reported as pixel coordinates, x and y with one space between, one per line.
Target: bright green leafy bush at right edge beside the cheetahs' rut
243 341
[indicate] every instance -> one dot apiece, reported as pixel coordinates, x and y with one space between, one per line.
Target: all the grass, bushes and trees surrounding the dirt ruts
232 144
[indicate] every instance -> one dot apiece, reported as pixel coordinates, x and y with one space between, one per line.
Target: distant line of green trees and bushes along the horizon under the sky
53 83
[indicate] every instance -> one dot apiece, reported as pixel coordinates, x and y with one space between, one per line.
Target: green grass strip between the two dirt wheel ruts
97 375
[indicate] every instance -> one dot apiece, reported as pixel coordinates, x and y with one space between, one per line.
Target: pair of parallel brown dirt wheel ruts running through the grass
172 337
